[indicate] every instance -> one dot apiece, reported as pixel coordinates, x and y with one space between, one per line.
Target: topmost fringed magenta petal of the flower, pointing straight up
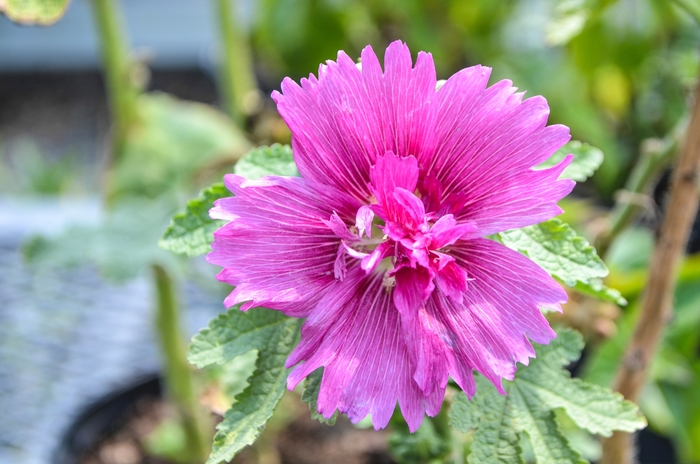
346 118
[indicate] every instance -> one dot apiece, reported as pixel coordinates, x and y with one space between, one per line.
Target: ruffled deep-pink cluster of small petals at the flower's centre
409 251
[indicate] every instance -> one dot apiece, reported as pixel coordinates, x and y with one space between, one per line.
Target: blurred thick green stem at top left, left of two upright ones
121 92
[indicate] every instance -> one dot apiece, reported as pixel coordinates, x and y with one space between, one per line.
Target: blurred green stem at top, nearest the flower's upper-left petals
237 81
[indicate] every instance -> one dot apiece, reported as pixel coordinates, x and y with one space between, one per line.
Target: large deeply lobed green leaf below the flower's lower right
536 391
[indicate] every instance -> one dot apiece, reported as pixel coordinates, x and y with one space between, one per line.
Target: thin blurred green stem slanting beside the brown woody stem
652 161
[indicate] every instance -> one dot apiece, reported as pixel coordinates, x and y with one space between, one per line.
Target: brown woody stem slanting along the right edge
657 301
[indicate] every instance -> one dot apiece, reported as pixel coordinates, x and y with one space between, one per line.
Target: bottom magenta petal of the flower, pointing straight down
355 334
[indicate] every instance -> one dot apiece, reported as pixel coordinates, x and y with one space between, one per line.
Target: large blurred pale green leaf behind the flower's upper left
172 142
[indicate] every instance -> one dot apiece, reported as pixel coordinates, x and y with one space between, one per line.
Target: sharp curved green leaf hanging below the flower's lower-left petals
274 335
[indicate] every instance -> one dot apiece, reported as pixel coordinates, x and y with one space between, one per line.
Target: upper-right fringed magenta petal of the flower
489 141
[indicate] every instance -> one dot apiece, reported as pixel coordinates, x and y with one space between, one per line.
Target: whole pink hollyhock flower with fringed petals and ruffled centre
381 243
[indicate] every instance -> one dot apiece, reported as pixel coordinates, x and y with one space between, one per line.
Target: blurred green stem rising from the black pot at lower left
178 374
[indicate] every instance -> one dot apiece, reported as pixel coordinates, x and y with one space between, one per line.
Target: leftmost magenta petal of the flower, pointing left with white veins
279 251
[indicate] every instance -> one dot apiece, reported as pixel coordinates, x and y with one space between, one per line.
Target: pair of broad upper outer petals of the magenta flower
479 143
